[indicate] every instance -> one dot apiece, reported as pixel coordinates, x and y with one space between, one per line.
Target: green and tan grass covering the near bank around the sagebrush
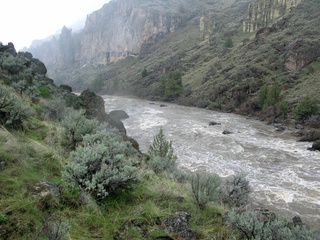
29 160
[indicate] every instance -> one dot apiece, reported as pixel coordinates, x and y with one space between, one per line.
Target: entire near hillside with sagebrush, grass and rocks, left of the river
68 171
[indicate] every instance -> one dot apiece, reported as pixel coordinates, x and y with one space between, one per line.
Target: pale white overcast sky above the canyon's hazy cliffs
22 21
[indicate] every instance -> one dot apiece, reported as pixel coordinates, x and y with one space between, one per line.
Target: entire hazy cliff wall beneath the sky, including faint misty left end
115 31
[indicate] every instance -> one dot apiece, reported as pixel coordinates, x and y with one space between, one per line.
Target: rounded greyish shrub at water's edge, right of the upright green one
236 190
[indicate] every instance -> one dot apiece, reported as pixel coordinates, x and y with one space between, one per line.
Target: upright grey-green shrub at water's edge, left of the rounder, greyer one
205 187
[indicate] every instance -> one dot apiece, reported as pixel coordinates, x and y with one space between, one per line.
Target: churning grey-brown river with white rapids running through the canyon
284 175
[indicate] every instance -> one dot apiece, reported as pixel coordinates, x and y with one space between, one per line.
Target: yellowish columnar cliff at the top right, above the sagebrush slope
262 13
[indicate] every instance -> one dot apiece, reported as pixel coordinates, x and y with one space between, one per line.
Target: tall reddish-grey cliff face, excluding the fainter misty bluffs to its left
120 28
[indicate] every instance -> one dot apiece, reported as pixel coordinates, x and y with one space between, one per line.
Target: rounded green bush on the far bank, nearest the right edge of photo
306 108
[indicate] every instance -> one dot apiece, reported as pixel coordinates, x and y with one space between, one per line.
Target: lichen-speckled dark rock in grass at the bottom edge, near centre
178 224
